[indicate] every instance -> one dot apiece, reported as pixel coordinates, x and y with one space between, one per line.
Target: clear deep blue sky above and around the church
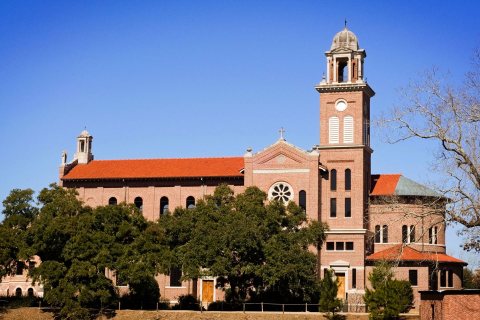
206 78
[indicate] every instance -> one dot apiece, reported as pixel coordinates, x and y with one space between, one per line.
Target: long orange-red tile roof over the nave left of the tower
157 168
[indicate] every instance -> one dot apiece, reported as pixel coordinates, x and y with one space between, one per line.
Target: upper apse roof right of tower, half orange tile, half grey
396 184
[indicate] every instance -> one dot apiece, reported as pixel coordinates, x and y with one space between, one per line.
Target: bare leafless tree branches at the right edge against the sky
435 109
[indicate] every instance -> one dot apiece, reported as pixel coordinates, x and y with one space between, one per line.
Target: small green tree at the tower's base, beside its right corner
388 297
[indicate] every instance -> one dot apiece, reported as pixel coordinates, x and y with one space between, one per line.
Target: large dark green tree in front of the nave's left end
78 244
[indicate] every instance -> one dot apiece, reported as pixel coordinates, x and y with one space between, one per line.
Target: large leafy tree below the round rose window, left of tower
257 250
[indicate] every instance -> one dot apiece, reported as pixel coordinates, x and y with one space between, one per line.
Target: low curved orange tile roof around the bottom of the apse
406 253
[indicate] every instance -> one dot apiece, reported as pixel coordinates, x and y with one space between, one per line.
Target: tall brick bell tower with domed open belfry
345 152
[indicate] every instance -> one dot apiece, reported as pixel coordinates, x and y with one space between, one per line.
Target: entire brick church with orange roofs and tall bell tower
371 217
